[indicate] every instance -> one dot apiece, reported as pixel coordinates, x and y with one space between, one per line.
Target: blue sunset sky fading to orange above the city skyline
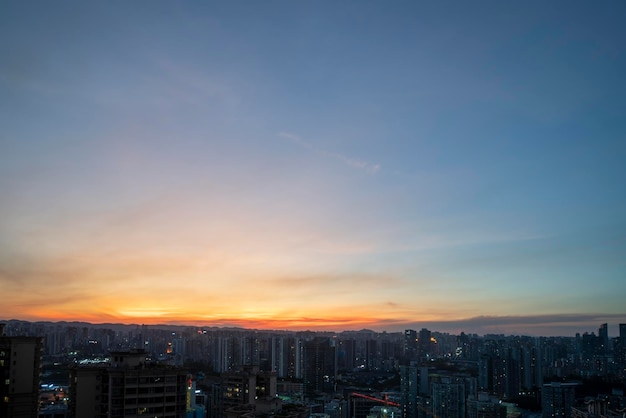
315 165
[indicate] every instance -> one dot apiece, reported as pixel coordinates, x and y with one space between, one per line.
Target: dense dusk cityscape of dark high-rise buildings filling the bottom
172 372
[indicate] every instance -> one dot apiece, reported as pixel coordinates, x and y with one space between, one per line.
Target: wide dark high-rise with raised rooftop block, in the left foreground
129 387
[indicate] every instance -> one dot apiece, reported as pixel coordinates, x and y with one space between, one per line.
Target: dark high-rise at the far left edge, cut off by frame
20 371
